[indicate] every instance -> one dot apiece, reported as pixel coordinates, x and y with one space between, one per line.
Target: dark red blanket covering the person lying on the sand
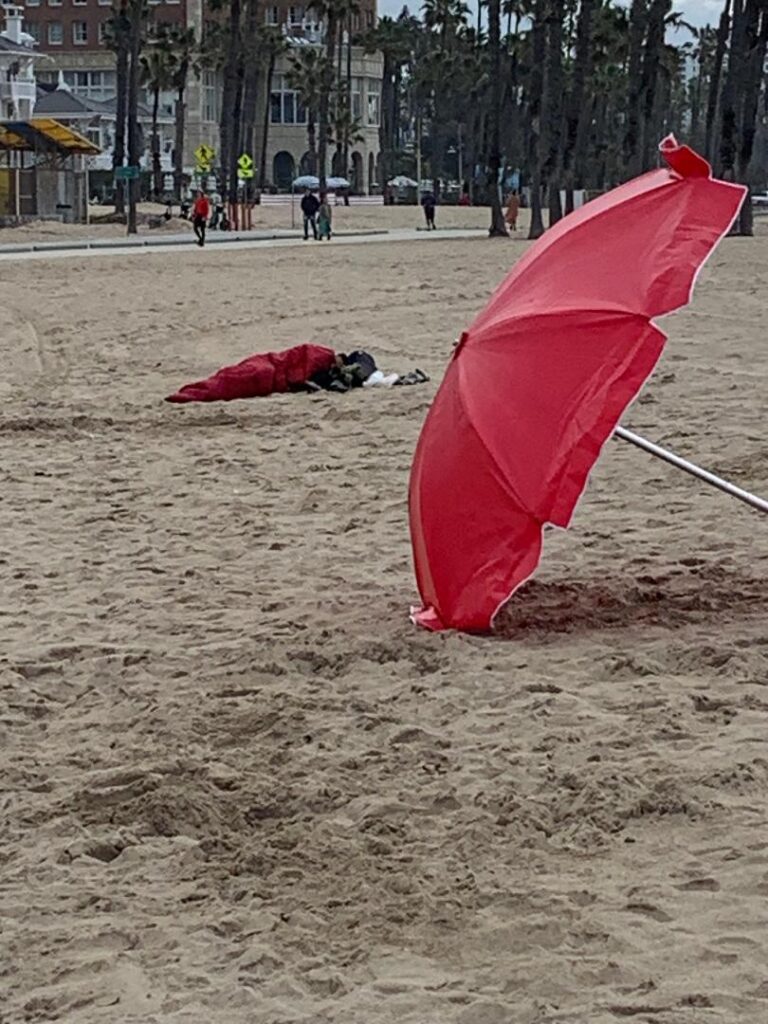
266 373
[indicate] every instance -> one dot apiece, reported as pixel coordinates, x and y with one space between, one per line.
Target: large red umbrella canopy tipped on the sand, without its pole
541 379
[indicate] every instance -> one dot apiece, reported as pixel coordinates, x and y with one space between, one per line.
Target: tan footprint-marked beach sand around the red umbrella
240 788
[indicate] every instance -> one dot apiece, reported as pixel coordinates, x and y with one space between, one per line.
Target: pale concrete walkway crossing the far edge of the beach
220 242
